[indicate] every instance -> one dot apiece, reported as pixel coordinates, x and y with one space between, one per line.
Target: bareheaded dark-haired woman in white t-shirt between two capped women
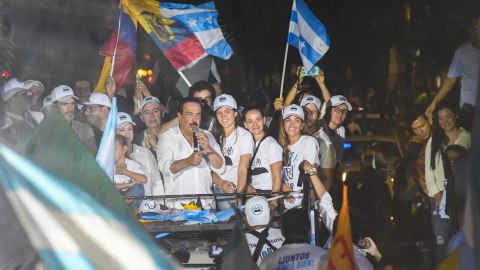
266 162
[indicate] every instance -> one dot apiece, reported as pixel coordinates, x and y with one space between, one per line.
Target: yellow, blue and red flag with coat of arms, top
177 42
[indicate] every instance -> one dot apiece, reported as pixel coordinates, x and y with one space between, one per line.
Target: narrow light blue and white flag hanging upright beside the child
106 152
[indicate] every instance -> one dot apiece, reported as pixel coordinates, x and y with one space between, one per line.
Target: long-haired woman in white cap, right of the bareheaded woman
297 146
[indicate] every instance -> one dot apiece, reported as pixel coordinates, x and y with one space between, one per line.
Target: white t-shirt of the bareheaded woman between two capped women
268 153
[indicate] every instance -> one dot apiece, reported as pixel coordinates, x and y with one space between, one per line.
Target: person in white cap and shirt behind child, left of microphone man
141 155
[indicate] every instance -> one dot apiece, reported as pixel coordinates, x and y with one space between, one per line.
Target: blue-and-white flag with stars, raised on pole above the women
308 34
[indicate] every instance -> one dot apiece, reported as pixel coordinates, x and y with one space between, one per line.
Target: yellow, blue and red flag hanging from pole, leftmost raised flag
124 40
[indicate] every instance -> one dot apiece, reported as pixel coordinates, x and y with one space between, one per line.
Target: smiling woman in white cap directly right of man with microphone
237 147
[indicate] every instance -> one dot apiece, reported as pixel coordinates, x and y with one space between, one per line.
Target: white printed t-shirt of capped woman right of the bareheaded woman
304 149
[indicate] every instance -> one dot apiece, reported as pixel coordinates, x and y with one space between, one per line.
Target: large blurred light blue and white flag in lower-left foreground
67 227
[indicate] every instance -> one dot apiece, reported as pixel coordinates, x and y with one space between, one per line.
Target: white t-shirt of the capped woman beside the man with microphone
239 143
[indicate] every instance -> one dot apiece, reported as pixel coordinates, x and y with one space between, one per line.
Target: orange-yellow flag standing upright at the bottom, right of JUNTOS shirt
341 254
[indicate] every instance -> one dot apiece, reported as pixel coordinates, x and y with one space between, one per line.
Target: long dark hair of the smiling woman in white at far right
439 138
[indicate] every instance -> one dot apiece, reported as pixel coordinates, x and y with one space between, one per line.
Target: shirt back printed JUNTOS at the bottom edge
295 256
